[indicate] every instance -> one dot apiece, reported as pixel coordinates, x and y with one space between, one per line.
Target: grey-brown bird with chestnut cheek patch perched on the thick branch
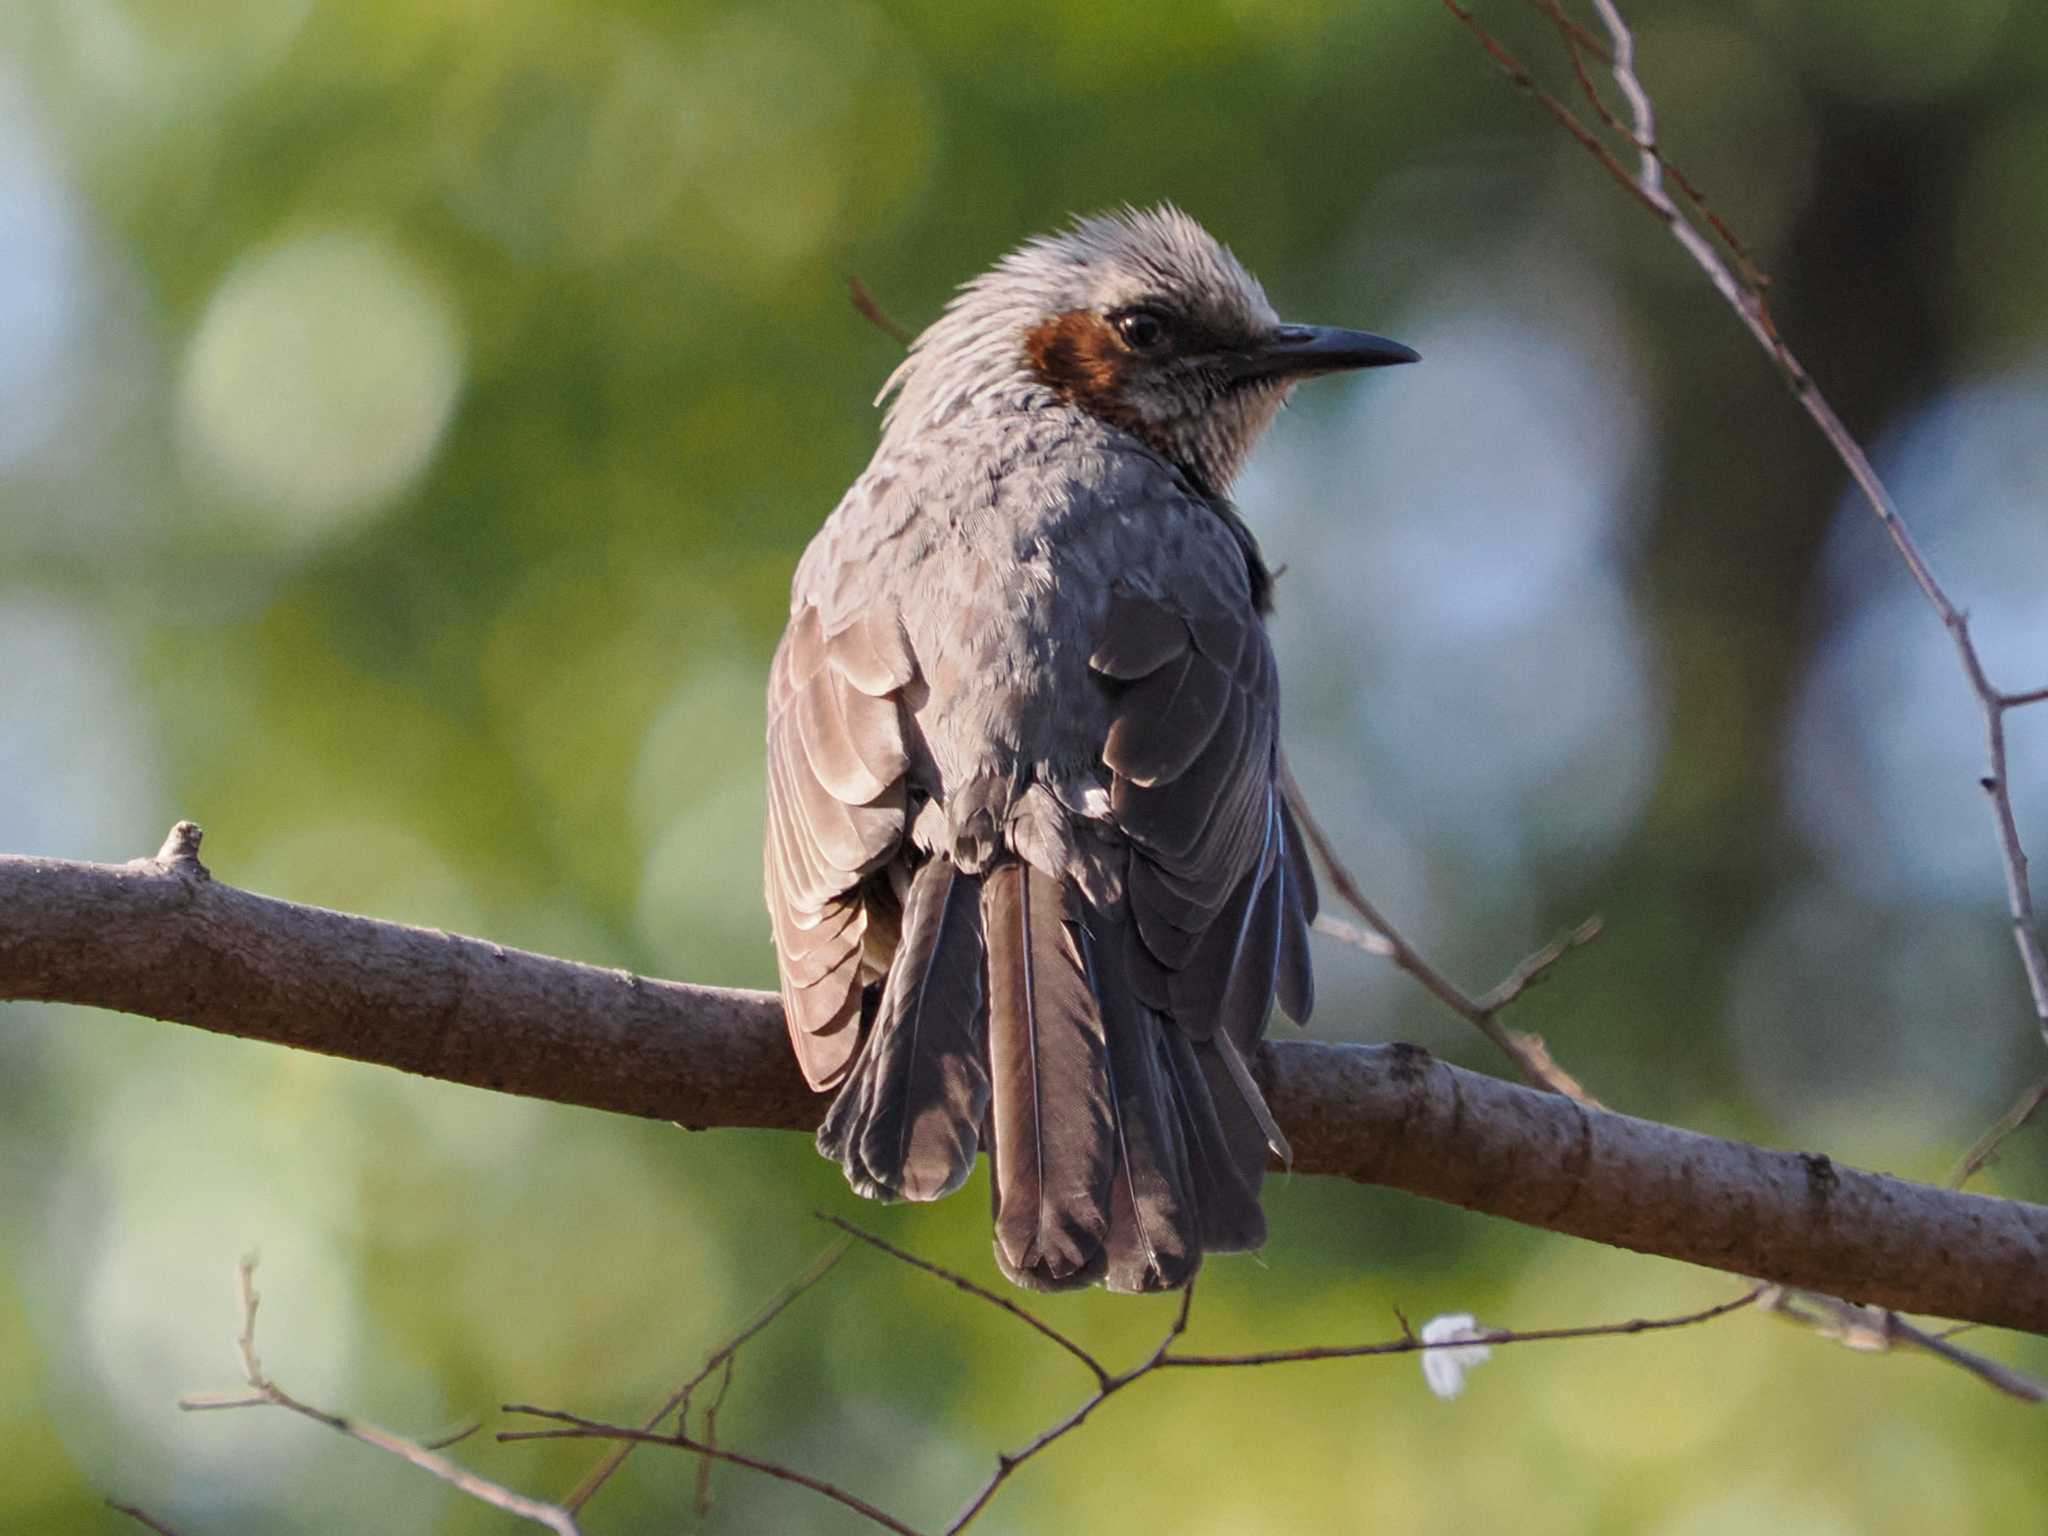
1031 876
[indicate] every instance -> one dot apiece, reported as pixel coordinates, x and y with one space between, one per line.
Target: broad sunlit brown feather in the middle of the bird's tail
1052 1146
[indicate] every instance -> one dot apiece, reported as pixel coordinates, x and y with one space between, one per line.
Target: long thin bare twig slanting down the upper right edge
1748 304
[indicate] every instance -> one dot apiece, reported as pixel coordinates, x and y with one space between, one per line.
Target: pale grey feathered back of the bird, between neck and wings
1000 548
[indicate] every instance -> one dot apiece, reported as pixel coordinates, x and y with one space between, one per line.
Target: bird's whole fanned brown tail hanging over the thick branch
1121 1146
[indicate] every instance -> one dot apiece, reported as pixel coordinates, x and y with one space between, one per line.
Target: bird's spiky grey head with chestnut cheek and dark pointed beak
1140 318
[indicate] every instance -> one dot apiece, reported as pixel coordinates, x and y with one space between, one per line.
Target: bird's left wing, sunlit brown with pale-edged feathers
837 808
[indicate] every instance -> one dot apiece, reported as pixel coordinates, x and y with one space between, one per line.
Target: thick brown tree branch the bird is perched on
163 939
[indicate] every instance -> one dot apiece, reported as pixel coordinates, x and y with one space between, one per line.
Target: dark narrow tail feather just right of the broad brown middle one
1154 1240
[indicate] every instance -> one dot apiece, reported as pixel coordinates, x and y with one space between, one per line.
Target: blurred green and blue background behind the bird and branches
411 417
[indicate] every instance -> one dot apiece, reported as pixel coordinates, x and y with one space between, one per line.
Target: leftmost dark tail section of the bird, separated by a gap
908 1123
